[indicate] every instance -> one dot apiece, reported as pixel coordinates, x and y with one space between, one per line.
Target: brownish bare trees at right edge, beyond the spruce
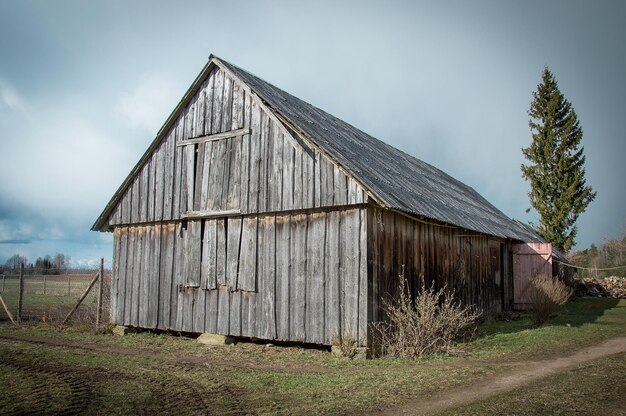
611 253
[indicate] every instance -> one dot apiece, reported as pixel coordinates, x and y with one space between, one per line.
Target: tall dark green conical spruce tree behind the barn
556 170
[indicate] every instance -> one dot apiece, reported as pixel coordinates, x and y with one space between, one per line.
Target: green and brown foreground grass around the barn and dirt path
46 371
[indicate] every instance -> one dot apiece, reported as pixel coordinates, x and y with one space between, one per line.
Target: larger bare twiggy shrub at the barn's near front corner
425 326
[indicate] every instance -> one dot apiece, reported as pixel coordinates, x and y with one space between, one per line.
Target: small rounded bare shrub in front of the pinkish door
545 294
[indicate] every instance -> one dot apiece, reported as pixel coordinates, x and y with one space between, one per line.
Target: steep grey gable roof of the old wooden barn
397 180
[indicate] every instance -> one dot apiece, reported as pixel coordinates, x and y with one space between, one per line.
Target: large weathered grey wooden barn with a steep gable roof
256 214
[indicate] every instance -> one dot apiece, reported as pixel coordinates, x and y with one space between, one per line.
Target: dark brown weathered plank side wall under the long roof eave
469 263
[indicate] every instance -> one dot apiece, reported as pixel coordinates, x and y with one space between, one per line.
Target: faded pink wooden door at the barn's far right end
529 260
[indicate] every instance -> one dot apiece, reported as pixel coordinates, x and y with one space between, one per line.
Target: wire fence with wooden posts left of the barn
50 298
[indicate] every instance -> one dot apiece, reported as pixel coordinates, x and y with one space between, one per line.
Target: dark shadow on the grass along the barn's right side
575 313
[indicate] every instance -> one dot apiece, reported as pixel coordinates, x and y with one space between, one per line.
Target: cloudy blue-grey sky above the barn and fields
86 85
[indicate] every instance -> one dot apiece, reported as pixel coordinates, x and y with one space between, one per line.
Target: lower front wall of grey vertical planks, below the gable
298 277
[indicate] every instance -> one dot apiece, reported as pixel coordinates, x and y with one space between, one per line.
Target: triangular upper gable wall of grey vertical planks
266 170
